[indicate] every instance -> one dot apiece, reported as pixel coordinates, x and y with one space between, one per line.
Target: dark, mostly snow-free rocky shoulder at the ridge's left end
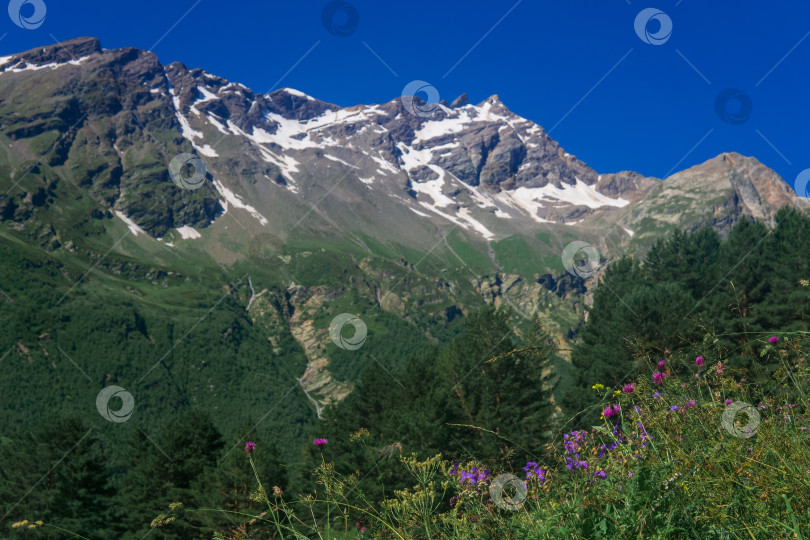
91 112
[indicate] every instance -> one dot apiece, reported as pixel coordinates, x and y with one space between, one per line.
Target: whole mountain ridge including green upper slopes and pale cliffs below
444 207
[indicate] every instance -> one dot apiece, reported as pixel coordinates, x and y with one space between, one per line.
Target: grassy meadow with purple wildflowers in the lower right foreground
671 468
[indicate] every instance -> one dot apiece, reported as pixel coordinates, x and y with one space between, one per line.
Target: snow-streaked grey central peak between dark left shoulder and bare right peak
473 166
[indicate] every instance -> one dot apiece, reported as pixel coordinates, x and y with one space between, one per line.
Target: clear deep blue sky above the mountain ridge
542 59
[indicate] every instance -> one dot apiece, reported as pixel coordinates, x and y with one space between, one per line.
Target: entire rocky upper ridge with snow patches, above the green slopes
115 118
